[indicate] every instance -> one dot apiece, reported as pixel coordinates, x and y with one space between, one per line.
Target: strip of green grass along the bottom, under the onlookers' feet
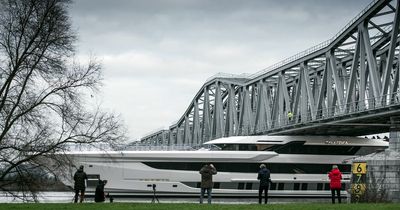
169 206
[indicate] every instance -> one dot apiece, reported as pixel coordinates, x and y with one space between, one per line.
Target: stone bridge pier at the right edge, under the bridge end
383 169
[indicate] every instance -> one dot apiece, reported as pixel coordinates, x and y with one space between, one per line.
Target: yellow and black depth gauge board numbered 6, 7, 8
359 178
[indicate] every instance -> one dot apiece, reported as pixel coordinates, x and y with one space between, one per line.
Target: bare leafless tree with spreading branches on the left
42 91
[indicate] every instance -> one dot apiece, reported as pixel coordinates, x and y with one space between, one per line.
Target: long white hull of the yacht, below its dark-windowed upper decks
129 173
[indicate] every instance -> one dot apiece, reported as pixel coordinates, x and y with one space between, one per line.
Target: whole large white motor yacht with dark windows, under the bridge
298 165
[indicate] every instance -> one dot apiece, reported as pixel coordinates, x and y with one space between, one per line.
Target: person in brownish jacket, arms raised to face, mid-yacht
207 171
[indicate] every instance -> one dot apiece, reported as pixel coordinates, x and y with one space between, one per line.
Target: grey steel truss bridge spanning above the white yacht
348 85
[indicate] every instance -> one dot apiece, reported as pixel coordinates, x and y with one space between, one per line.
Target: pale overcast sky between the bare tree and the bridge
158 53
